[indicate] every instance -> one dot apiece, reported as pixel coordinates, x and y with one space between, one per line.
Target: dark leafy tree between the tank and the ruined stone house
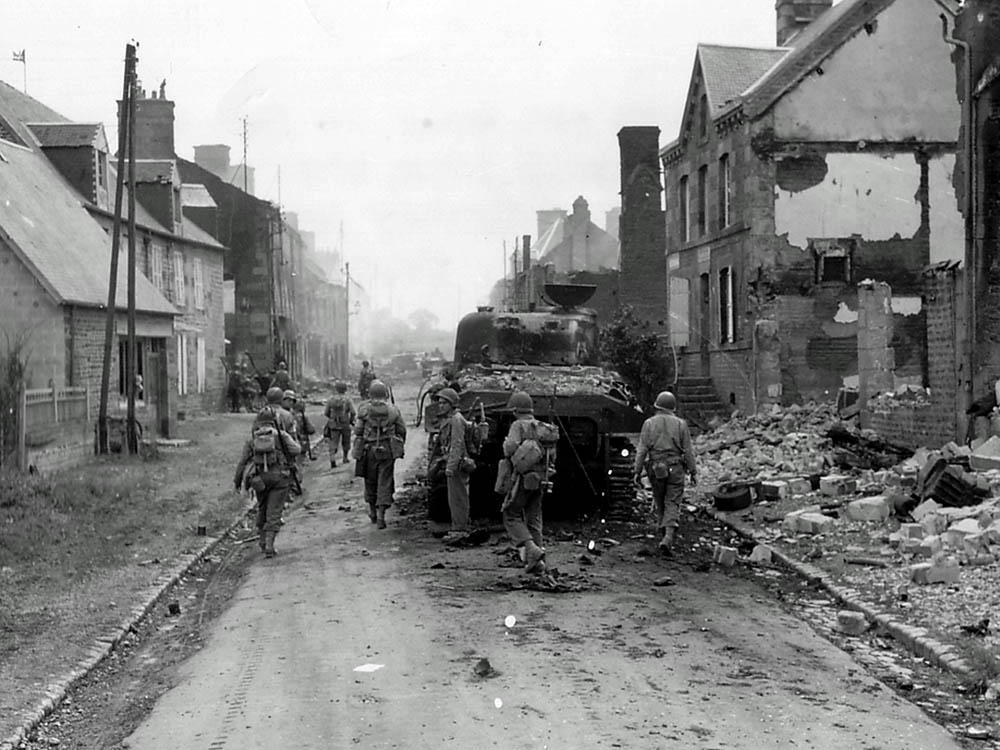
639 355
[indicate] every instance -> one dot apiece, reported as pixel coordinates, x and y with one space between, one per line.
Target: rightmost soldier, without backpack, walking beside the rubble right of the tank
666 453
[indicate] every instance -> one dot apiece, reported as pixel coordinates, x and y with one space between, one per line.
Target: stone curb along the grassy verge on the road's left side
56 691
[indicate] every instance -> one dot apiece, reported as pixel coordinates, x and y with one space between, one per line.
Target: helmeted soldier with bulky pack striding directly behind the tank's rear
529 450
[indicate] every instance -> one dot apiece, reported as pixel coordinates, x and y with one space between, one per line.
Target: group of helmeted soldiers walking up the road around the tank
374 435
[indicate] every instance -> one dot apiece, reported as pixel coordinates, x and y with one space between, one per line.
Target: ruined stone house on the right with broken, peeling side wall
800 171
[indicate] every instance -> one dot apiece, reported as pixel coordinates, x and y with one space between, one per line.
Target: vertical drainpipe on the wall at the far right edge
971 247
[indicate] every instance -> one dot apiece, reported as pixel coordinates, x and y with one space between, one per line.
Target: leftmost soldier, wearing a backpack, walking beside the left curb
266 467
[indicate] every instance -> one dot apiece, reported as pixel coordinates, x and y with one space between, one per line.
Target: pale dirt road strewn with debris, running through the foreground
359 637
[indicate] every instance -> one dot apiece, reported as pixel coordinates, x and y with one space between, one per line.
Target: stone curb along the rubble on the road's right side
914 638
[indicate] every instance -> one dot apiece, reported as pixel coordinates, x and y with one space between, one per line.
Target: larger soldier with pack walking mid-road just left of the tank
380 434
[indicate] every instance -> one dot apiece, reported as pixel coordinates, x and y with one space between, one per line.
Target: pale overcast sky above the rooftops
433 130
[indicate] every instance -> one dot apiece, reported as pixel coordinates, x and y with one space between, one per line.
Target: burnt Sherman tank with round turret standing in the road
551 352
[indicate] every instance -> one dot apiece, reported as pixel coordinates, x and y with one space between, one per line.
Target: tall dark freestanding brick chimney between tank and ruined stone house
642 275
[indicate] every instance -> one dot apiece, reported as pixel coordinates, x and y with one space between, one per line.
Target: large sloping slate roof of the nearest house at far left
45 224
